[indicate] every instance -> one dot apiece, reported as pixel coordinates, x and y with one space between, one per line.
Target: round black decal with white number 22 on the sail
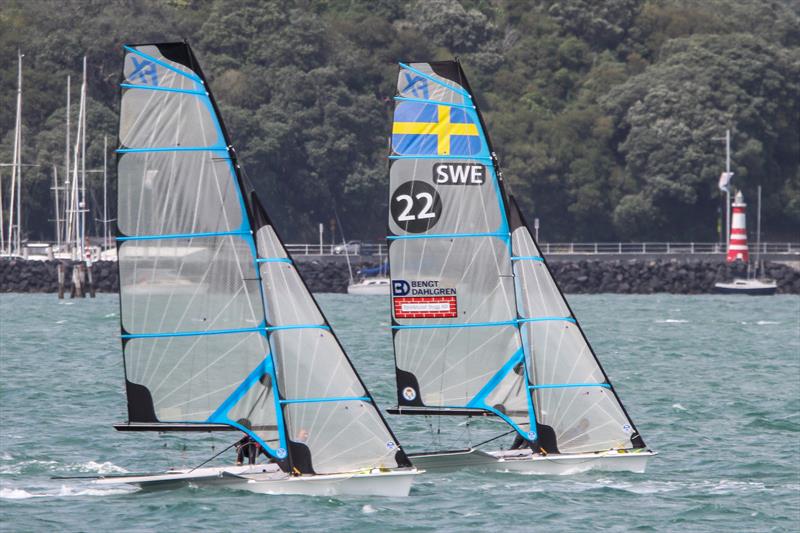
415 206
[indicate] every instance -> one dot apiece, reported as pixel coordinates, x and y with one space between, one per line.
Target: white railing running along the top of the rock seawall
558 248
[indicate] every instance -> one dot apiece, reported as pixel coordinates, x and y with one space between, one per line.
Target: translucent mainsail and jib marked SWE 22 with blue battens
479 324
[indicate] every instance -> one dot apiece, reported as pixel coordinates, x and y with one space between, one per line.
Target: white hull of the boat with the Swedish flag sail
527 462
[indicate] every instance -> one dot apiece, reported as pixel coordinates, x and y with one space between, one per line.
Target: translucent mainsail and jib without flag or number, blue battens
218 328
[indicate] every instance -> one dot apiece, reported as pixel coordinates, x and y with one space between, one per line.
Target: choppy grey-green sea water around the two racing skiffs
712 382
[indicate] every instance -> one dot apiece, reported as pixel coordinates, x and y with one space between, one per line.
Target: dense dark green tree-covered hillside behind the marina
603 114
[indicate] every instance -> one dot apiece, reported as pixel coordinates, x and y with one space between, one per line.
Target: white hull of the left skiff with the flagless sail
269 479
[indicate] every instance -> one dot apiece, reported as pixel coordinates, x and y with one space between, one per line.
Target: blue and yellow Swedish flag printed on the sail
432 129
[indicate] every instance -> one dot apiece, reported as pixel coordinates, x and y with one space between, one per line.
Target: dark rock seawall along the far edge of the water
575 277
